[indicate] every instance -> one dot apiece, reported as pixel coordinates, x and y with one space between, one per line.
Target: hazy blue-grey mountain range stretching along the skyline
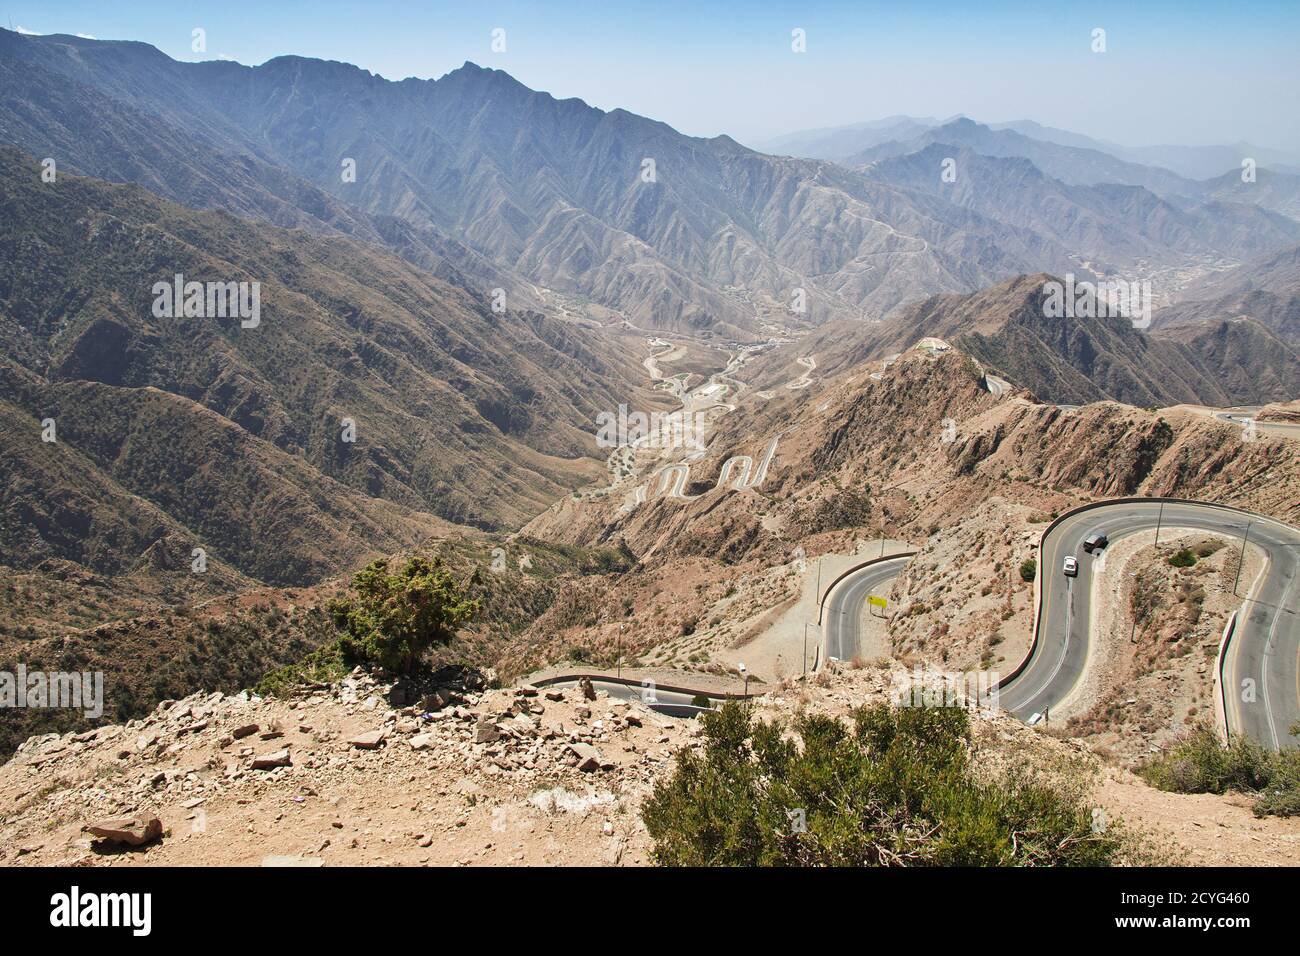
601 215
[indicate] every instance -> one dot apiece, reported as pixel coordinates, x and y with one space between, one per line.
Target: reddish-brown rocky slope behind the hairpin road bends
918 452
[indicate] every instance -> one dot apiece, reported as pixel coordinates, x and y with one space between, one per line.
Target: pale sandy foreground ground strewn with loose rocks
362 773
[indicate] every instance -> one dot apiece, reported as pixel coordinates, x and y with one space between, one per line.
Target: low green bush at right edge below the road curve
1202 764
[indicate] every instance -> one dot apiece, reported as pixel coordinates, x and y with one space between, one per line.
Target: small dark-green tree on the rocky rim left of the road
393 618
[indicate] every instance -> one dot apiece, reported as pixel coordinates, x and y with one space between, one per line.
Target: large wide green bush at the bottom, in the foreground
896 790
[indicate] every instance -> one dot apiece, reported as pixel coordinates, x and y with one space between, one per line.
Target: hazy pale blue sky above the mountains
1173 72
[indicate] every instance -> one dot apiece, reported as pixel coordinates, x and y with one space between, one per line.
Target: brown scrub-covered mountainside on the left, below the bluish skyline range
476 417
